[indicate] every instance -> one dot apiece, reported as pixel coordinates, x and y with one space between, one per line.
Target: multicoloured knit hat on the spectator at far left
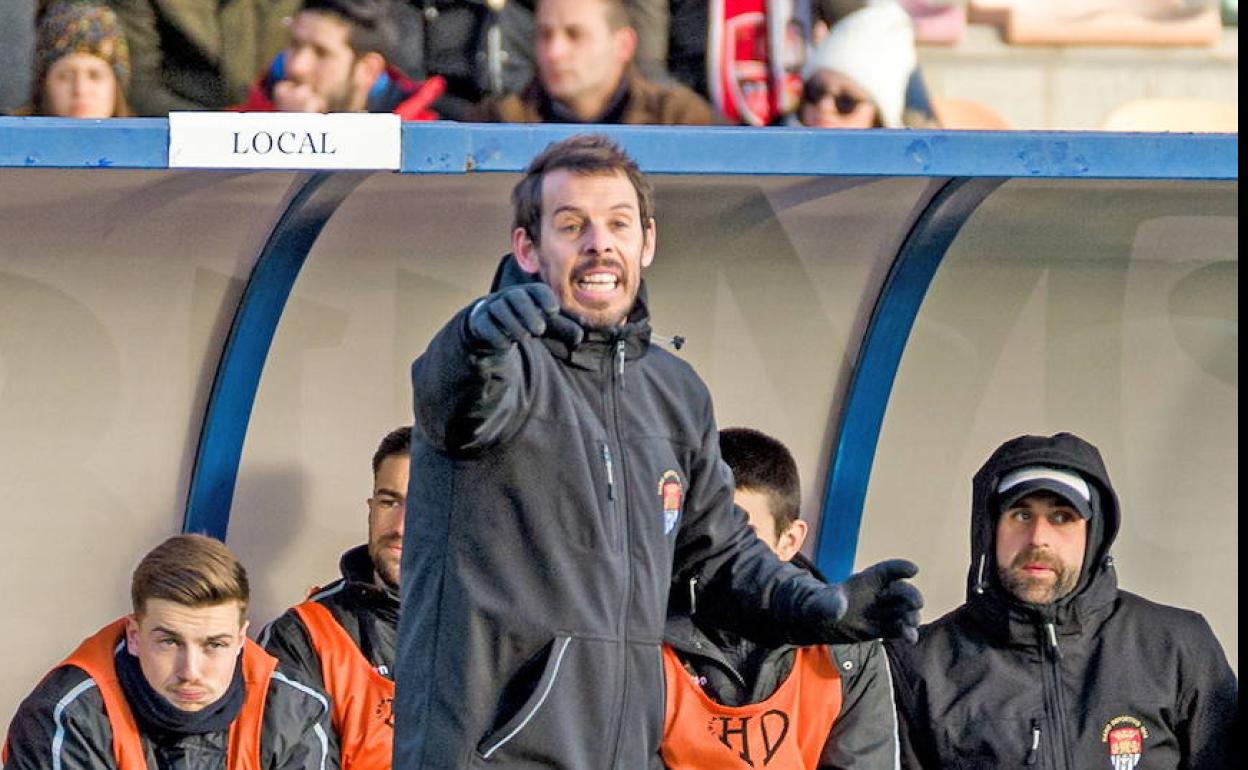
76 27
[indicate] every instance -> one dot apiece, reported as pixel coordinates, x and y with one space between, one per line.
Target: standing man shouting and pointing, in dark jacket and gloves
566 472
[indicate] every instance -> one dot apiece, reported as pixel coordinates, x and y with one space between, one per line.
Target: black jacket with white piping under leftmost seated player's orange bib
62 726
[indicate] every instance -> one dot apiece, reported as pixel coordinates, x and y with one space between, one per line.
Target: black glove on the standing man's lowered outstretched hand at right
883 605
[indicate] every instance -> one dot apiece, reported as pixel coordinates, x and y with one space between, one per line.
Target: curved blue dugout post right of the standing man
877 368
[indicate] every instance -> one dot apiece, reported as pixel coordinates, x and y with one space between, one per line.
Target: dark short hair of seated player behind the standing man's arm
762 464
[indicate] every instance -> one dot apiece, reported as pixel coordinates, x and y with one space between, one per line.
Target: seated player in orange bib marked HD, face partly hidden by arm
734 704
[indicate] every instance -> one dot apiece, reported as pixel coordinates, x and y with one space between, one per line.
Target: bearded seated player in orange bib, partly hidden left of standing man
343 638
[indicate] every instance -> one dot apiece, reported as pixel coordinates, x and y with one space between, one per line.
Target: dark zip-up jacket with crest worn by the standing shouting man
540 556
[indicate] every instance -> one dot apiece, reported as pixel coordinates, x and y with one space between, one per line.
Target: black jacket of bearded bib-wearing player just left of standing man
364 610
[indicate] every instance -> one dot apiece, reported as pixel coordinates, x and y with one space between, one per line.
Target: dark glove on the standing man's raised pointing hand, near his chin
509 316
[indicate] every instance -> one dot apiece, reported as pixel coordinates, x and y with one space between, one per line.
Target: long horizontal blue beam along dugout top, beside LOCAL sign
450 148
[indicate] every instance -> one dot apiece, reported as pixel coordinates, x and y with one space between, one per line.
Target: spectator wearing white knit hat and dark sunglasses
857 77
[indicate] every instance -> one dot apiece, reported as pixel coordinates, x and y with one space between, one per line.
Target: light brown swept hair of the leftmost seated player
193 571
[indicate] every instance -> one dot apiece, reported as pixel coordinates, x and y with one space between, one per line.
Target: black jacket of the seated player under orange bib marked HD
737 672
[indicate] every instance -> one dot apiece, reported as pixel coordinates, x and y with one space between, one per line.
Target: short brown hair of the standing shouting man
585 154
